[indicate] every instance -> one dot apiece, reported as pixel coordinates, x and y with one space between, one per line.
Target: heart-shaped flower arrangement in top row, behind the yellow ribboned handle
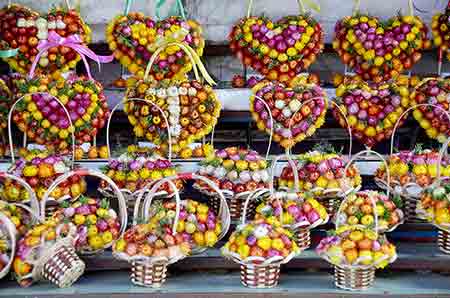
134 38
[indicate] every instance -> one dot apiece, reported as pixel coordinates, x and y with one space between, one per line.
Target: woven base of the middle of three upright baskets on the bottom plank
260 277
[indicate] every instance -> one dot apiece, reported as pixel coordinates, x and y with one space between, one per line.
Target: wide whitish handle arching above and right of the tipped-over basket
92 173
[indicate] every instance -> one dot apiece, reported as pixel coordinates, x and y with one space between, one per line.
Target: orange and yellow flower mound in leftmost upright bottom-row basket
145 241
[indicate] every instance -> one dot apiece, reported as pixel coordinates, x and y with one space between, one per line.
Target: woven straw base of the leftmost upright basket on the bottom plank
148 275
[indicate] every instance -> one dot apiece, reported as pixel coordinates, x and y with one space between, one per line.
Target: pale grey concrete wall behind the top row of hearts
217 16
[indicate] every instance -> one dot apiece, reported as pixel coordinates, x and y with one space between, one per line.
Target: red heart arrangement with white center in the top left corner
22 28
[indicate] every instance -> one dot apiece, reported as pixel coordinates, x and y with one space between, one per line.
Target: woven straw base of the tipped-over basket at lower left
64 267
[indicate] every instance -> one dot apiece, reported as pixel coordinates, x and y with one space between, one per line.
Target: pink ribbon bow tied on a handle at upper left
72 41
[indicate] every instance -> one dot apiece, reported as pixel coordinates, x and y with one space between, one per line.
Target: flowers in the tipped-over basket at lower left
36 244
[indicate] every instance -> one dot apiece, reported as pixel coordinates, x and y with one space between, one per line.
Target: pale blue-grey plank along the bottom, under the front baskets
225 284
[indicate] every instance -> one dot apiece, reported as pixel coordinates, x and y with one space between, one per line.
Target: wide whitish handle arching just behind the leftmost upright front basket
224 212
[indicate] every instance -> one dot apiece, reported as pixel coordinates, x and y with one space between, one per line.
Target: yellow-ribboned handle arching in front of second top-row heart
192 55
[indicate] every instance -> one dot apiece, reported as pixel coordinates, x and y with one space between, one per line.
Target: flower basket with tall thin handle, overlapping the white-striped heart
133 171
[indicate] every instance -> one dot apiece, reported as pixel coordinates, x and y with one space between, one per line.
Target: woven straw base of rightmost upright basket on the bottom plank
354 279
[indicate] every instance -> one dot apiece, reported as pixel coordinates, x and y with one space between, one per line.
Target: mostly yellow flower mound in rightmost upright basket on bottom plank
355 247
